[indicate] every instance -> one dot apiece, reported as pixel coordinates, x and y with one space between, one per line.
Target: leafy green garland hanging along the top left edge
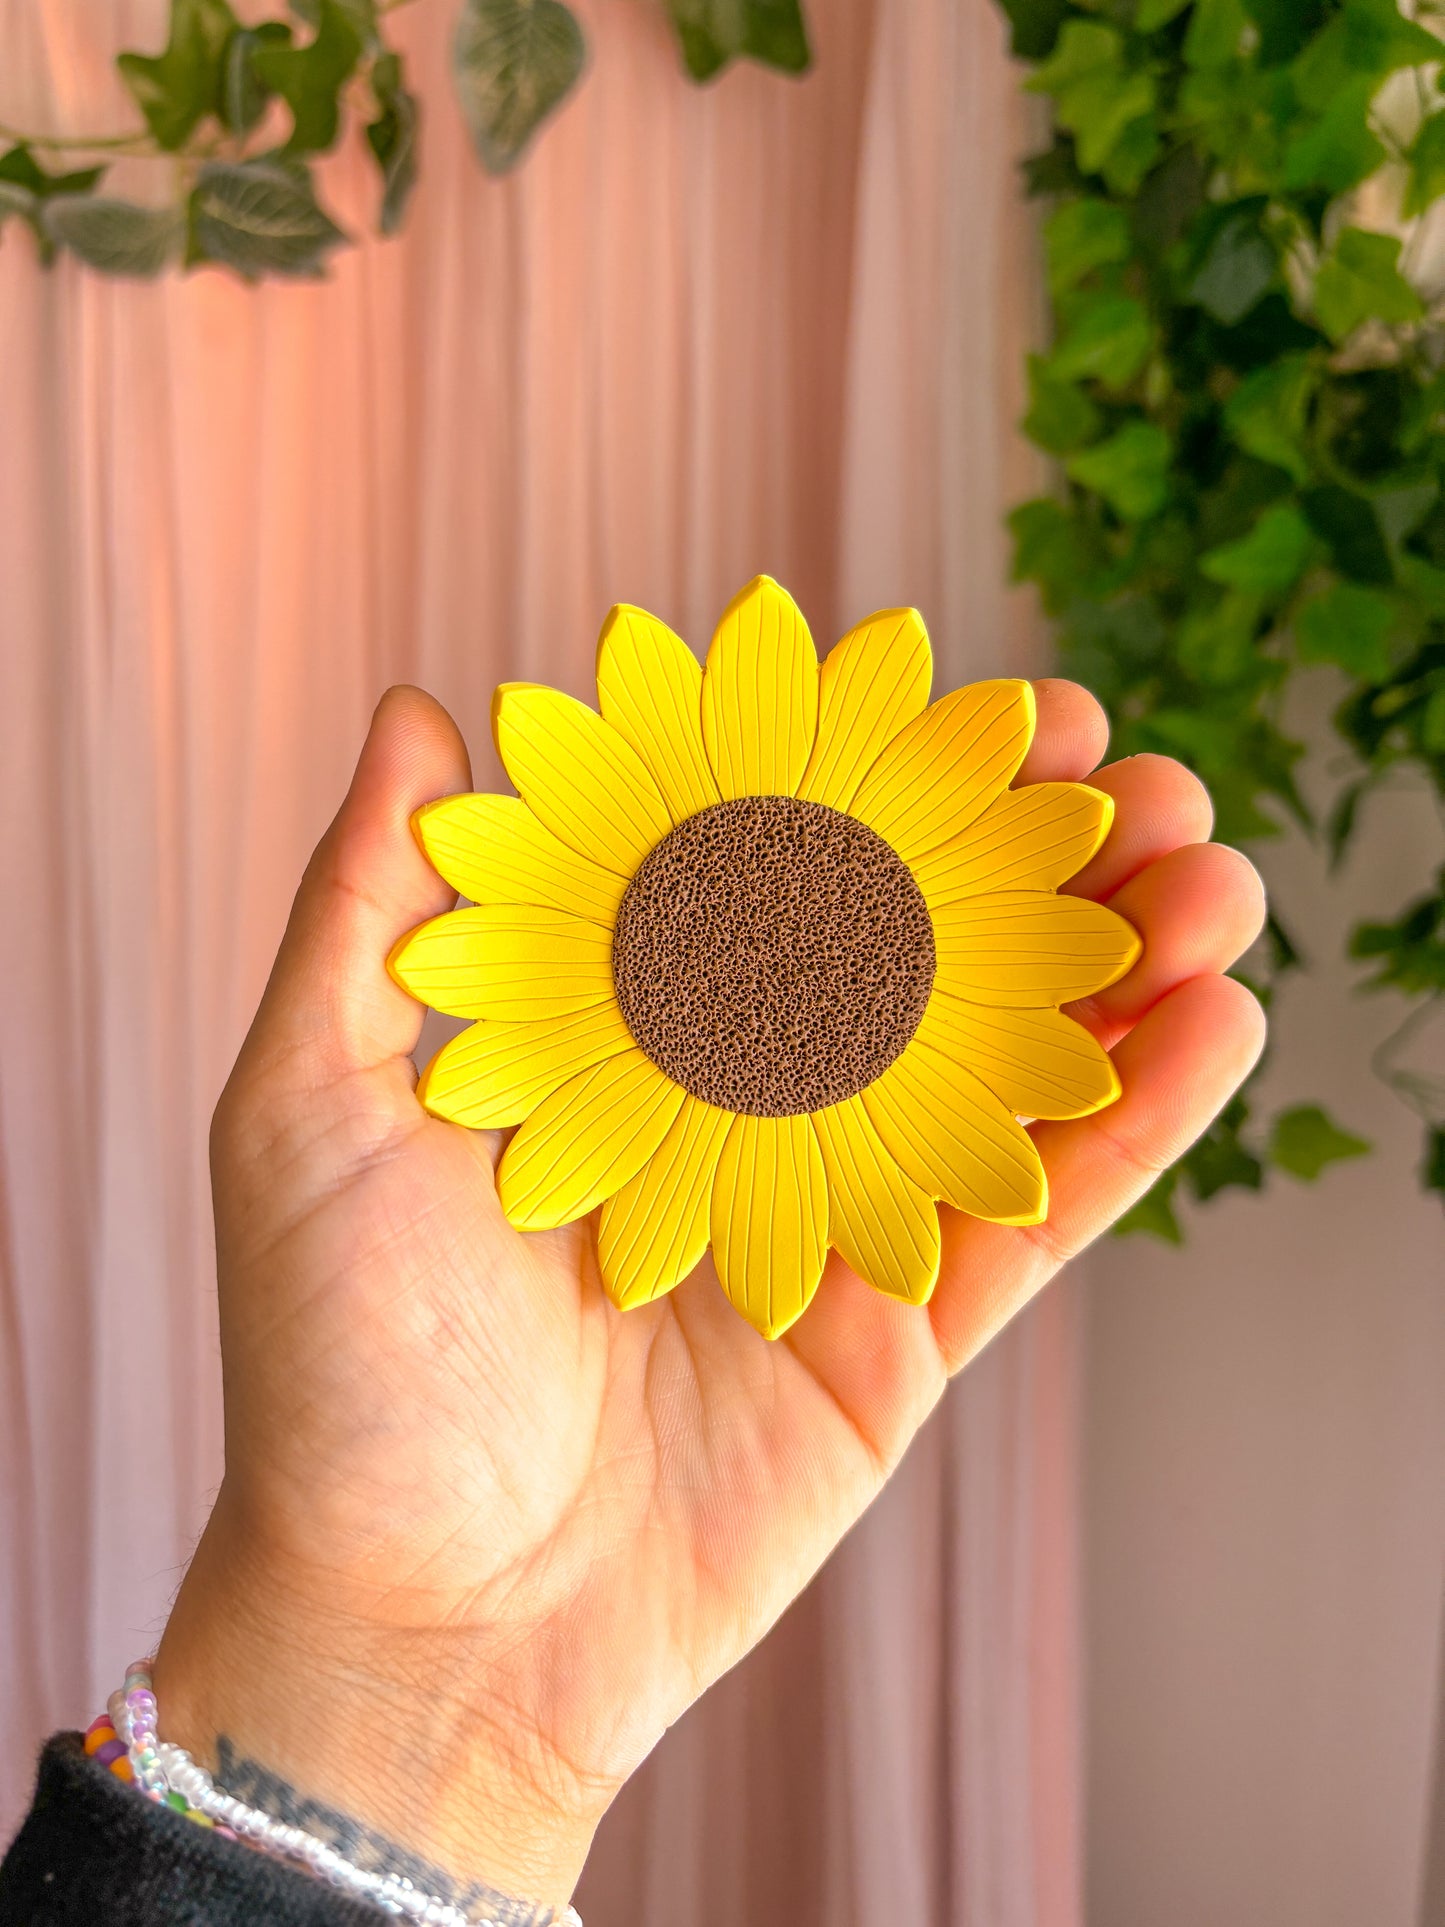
242 111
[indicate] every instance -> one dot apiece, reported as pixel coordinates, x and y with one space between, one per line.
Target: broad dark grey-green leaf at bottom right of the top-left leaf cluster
261 217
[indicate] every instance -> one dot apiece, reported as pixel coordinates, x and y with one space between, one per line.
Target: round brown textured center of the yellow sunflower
774 957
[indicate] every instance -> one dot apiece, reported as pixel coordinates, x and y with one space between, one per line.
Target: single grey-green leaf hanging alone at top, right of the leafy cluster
513 63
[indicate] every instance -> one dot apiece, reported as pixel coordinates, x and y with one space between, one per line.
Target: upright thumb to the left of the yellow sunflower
330 1005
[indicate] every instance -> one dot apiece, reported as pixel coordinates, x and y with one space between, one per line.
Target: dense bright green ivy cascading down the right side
1246 398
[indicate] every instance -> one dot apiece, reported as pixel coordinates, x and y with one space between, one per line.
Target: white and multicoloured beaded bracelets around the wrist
124 1741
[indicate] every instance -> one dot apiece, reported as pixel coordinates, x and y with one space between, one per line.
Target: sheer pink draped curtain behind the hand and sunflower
702 332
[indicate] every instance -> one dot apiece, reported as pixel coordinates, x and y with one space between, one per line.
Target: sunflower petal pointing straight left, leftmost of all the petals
506 961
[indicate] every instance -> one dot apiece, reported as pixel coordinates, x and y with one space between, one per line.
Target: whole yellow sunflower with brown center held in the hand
766 957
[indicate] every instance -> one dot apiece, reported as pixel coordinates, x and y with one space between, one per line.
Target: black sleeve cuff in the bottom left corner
93 1851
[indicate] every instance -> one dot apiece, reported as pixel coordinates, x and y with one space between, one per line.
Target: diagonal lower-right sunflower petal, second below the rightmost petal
957 1140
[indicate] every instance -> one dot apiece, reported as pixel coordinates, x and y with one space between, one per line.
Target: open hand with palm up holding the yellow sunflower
483 1537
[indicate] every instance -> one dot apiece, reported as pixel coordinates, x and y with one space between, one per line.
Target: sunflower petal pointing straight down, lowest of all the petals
772 1219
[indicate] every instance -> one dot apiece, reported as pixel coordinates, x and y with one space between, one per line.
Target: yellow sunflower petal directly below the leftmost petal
496 1074
